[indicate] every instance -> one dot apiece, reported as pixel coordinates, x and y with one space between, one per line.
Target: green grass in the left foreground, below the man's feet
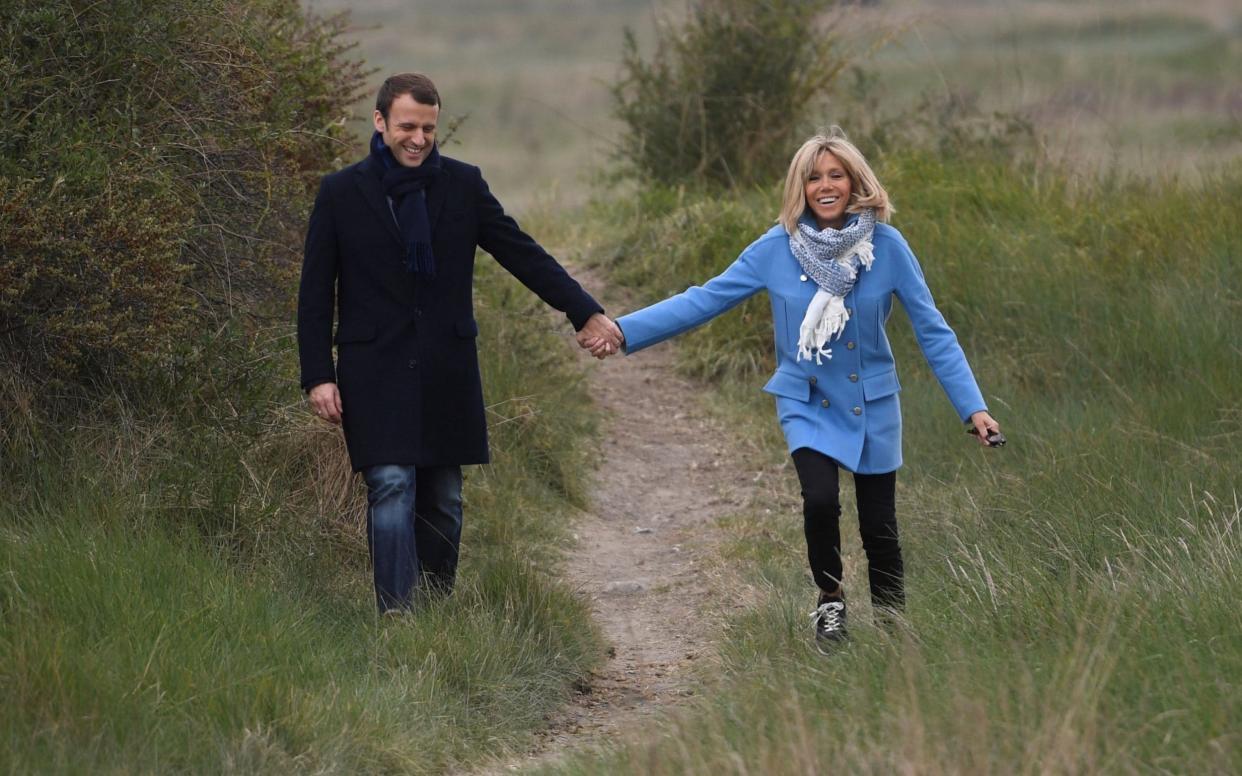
136 651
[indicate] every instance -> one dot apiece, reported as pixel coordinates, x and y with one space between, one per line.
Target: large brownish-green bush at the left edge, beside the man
157 162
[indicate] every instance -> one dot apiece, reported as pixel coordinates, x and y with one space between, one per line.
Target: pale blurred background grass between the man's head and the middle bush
528 80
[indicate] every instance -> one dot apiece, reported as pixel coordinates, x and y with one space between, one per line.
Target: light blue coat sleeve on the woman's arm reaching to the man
695 306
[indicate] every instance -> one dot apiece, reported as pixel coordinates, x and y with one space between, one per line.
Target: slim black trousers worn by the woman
877 523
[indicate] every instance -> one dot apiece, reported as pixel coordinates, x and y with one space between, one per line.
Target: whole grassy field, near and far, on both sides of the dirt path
186 578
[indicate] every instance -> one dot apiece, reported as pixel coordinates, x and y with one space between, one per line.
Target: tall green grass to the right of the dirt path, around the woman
1072 595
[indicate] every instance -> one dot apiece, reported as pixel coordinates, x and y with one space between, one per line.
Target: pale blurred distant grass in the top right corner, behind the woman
1106 83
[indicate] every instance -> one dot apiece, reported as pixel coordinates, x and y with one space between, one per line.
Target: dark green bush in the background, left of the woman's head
727 95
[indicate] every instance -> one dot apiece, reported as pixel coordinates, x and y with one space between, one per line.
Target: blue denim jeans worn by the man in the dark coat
414 528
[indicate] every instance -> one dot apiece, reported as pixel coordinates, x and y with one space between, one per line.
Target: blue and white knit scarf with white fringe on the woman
832 258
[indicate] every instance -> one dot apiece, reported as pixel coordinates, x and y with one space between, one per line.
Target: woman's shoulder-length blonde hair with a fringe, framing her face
866 189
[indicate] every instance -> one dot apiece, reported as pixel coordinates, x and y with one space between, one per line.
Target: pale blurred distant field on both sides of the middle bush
1151 88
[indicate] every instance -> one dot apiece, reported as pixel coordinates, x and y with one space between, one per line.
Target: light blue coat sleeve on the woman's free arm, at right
937 340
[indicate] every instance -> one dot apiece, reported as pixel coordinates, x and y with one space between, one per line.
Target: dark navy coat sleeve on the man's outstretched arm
526 260
